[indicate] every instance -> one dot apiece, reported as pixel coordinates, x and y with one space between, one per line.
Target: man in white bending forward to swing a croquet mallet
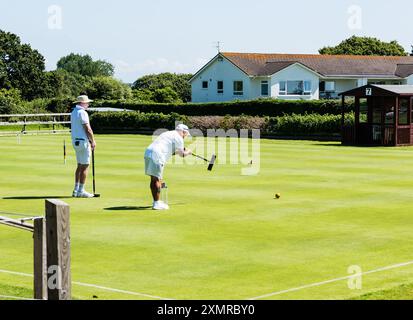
157 155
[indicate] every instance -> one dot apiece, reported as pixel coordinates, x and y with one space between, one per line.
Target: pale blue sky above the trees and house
142 37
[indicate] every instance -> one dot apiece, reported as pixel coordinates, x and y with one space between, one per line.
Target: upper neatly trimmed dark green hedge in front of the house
262 107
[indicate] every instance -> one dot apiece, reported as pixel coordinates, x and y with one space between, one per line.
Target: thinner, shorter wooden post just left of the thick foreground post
40 260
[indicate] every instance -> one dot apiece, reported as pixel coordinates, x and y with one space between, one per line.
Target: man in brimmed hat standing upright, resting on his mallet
83 141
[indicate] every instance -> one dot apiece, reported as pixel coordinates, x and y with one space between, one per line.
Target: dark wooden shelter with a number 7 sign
383 116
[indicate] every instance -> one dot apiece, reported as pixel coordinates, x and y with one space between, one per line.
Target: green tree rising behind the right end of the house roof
366 46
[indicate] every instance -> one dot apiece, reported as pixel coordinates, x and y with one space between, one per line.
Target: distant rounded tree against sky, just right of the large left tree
85 66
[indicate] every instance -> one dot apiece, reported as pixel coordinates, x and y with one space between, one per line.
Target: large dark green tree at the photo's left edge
21 67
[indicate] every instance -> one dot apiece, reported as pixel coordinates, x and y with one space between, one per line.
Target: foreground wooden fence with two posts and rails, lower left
51 250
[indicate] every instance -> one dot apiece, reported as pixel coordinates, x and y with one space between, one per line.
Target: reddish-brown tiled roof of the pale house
257 64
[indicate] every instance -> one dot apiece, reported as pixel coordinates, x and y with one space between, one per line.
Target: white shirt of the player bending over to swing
162 149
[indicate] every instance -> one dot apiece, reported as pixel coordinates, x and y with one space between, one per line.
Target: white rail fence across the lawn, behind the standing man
49 120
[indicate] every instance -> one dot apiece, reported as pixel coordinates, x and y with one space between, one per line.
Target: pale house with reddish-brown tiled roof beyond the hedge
246 76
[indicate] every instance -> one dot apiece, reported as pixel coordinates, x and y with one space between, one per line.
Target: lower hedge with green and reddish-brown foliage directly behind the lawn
294 125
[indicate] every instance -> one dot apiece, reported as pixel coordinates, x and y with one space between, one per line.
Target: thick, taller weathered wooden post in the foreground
58 250
